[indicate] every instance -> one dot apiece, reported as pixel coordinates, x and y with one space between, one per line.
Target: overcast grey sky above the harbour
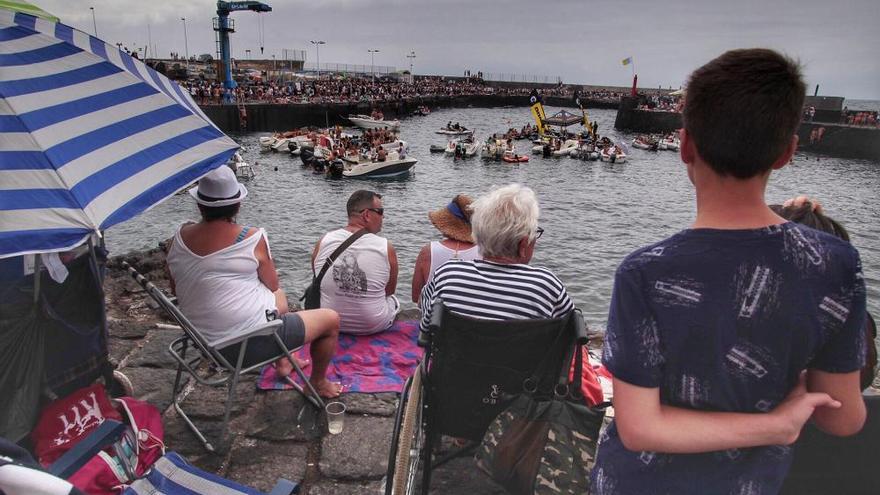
580 41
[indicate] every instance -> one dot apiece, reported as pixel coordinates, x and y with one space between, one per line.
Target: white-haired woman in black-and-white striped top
501 286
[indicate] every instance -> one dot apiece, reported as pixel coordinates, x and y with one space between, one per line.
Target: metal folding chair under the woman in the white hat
204 351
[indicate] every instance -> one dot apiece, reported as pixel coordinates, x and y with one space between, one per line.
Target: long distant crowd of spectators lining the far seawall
350 90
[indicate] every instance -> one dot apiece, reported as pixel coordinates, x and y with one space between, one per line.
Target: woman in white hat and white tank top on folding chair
226 284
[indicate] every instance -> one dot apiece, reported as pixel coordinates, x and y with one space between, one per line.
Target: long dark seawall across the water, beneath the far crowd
274 117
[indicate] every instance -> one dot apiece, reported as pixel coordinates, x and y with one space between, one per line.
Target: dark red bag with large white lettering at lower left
64 422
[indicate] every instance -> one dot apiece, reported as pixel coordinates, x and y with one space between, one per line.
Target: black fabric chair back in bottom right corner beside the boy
826 464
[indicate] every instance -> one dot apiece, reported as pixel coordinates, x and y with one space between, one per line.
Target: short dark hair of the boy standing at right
742 109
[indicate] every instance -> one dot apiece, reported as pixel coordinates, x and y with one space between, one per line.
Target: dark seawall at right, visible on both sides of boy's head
839 140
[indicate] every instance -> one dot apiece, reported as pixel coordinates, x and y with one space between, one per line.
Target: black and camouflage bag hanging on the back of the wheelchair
544 443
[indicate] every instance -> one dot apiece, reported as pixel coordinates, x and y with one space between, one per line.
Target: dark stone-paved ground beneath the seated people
275 434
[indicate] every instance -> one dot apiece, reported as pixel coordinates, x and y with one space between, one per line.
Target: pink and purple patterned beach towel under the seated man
374 363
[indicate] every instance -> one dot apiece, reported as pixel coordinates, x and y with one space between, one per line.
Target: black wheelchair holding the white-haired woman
471 370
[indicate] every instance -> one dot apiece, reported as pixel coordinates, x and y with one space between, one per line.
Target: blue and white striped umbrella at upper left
89 136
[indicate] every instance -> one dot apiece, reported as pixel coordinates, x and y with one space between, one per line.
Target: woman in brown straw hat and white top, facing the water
453 222
